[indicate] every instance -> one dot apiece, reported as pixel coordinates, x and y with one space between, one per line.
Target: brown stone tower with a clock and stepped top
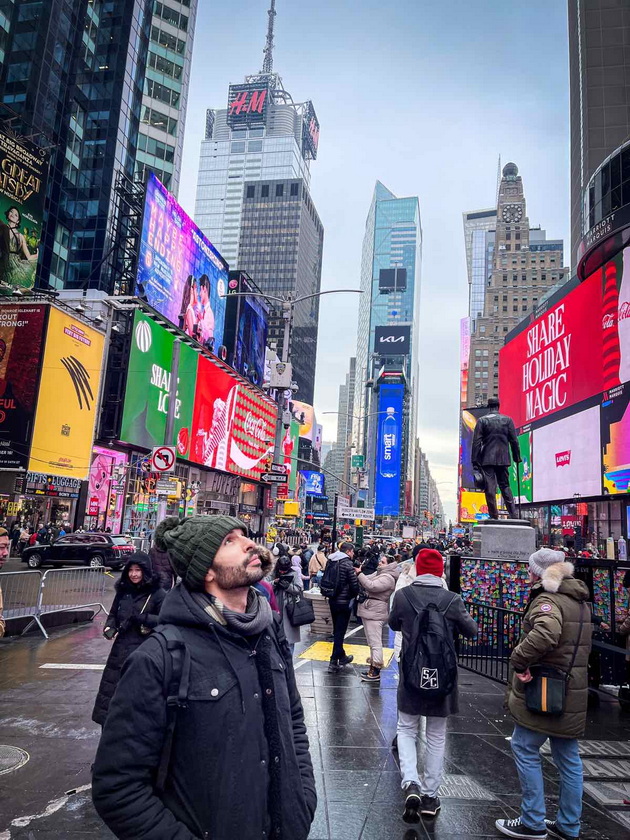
525 266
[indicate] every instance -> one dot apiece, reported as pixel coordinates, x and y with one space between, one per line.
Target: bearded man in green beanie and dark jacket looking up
239 741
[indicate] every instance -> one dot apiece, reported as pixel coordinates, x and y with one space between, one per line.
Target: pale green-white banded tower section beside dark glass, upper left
165 93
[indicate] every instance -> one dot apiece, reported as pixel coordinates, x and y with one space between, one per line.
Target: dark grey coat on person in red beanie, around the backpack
403 617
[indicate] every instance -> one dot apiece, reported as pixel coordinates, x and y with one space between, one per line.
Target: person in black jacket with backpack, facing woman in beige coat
340 585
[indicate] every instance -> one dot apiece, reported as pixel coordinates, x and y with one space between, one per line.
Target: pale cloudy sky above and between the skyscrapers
423 95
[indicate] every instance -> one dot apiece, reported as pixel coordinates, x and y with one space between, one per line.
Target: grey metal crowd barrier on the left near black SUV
33 594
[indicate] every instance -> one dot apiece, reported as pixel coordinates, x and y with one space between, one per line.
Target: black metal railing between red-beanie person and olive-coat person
498 633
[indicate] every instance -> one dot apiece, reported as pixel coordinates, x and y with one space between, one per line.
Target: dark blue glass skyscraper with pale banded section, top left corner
74 74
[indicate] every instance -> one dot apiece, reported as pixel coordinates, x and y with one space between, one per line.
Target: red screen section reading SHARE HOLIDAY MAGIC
558 360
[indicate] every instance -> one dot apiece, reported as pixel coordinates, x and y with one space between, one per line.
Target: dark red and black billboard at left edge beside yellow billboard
22 329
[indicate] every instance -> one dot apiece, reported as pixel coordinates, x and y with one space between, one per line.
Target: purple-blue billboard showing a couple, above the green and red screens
180 273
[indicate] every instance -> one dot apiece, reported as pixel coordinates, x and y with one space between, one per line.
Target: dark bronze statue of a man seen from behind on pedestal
493 438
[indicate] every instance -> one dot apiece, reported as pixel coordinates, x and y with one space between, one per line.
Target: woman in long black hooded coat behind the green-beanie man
133 615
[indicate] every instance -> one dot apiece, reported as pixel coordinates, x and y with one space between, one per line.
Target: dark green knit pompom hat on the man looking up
192 543
